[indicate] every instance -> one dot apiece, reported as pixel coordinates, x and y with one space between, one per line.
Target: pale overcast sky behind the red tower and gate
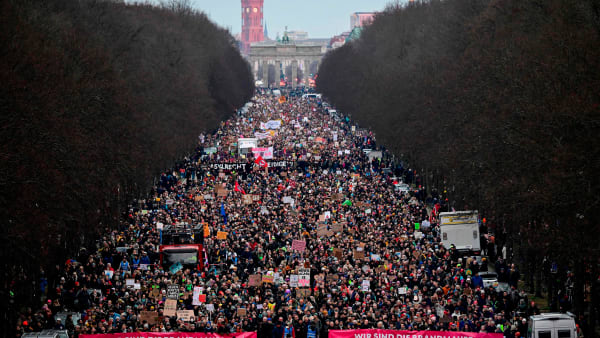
320 18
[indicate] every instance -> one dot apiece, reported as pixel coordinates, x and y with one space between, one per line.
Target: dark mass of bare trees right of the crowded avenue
496 104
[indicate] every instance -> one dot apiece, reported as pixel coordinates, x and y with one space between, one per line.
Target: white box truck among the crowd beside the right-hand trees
461 230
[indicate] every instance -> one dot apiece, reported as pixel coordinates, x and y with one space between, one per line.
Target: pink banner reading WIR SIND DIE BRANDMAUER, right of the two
408 334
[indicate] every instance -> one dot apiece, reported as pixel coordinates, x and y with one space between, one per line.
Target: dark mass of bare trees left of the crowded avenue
97 97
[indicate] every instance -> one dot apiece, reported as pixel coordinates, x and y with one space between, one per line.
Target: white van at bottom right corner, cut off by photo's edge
552 325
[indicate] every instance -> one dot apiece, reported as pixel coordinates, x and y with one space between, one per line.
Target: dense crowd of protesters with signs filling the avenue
374 271
